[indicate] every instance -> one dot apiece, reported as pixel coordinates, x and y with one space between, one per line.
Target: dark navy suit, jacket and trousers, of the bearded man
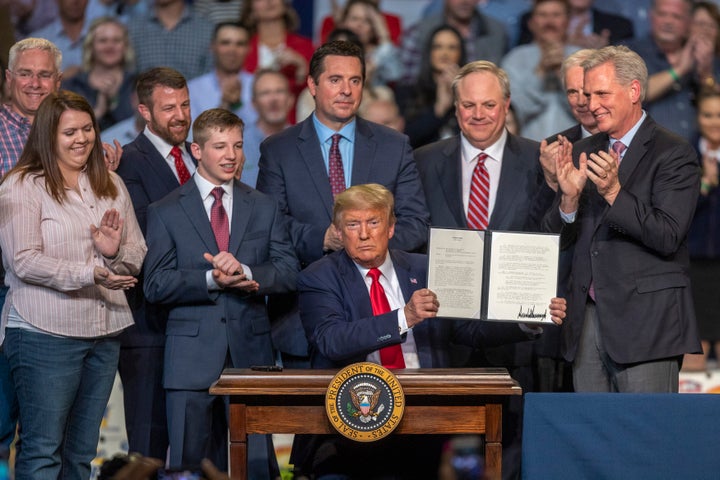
148 178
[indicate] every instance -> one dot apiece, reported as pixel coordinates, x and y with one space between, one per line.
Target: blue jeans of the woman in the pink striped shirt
63 386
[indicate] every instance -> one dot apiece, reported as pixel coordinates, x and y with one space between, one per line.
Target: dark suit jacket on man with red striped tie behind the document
520 203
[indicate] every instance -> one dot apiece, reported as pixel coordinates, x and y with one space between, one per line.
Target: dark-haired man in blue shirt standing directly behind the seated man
306 165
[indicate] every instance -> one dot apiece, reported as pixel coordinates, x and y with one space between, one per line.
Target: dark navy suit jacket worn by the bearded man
148 178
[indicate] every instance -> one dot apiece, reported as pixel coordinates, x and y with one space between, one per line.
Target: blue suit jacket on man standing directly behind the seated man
293 172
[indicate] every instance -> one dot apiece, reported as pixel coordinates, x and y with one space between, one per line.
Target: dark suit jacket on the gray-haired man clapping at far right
635 251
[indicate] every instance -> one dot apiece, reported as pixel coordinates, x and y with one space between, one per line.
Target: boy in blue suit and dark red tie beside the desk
216 247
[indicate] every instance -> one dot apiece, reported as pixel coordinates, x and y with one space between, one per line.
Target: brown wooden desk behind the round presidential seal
445 401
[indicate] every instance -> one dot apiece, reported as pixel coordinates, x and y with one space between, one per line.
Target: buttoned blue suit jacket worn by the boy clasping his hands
203 326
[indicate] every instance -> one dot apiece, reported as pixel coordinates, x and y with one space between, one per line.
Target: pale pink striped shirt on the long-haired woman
50 258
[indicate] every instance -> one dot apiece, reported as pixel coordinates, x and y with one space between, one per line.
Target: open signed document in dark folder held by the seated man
493 275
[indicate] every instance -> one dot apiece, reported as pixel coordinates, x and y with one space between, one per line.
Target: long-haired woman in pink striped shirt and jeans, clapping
70 245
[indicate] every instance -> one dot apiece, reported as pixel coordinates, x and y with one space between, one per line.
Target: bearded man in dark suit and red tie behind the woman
157 162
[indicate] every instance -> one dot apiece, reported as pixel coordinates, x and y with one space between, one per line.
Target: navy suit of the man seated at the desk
337 316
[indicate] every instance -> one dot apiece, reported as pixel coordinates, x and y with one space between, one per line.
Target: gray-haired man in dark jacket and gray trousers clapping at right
625 202
